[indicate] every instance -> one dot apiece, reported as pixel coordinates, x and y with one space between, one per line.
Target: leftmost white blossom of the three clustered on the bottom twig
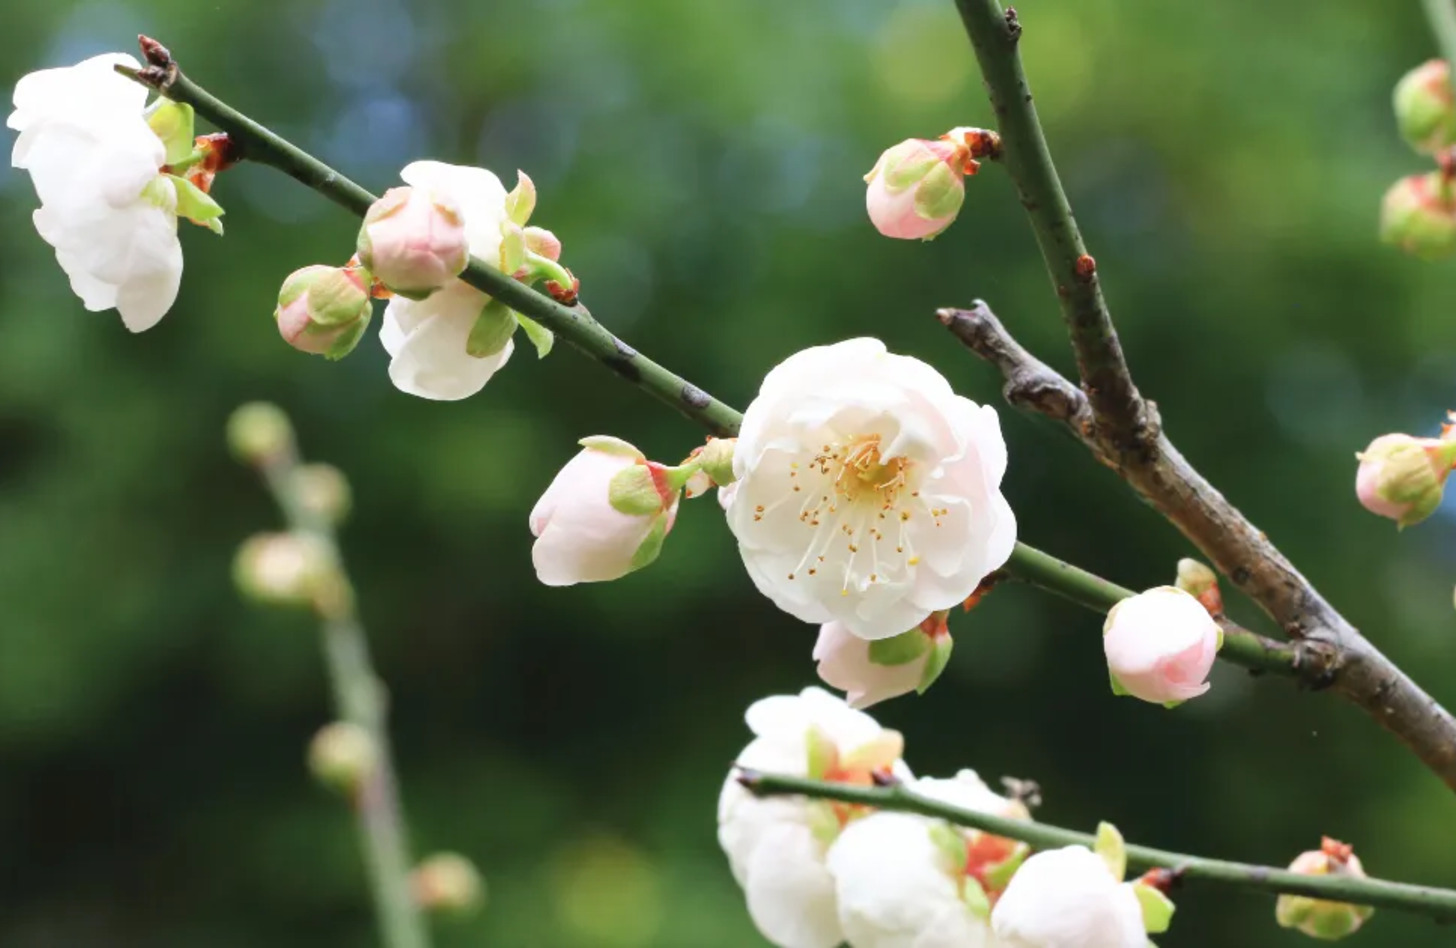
777 847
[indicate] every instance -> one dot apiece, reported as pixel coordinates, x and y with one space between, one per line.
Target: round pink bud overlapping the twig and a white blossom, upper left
414 241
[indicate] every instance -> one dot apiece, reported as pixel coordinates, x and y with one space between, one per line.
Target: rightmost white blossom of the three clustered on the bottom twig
1068 899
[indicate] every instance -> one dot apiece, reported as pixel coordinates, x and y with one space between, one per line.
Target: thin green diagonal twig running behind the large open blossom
580 330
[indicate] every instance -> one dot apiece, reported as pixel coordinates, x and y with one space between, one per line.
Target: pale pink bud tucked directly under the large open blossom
873 672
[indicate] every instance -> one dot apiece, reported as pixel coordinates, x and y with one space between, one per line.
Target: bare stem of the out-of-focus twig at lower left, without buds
359 698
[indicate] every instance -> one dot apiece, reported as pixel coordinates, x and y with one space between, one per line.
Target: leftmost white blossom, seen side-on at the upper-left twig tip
106 205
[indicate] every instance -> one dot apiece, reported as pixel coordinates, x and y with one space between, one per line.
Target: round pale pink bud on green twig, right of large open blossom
1160 646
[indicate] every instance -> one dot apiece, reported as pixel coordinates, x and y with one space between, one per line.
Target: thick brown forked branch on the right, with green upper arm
1125 432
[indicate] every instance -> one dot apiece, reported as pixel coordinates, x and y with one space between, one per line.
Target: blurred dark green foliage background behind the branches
703 165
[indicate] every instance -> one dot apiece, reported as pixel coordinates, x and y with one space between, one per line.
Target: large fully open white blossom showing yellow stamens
869 491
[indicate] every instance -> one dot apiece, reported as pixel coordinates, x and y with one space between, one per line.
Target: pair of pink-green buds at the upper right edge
1419 212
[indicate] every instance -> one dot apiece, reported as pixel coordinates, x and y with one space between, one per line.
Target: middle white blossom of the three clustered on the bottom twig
902 880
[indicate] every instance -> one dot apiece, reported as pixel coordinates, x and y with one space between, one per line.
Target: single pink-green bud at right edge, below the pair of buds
1403 477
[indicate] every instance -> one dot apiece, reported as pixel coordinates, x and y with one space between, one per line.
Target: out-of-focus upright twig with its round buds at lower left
304 569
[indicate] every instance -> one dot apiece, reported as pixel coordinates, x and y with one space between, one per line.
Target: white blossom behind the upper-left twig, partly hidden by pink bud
427 339
